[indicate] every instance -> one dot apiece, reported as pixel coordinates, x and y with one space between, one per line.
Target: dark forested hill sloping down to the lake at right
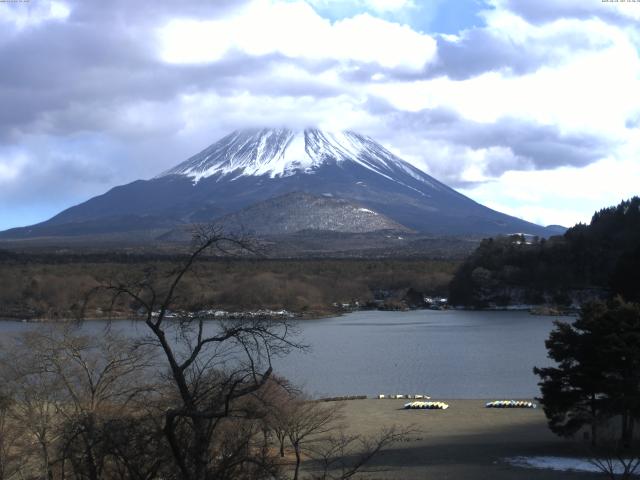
599 259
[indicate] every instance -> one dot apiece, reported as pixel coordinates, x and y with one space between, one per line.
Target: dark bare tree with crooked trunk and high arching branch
211 369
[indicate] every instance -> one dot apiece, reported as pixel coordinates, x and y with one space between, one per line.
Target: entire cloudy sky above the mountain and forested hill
531 107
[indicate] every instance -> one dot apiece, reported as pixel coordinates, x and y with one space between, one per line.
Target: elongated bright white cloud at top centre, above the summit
295 30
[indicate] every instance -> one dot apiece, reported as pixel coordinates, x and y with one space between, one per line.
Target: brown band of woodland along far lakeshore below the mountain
58 285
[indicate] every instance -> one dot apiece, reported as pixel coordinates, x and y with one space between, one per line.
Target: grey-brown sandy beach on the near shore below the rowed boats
466 441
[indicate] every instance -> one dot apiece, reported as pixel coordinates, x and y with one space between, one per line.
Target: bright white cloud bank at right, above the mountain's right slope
591 91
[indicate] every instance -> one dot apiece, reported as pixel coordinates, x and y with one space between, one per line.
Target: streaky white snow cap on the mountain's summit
283 152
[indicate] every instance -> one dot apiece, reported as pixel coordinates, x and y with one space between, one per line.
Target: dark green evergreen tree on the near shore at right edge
597 375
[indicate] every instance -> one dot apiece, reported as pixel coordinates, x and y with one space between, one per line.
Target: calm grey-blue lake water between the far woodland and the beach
445 354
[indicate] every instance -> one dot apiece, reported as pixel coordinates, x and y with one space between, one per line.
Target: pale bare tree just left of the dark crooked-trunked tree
100 376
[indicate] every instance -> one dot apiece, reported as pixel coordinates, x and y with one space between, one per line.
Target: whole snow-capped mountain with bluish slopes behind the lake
237 174
